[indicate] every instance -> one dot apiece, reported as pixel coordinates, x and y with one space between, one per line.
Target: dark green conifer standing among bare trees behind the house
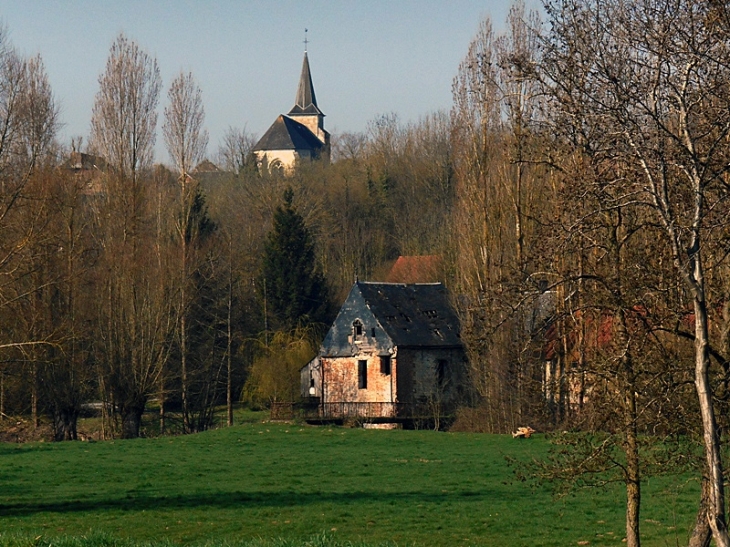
295 290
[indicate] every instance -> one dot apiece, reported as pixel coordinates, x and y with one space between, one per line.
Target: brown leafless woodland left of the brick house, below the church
127 284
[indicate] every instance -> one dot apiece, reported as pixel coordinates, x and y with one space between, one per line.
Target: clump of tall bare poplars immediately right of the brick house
500 196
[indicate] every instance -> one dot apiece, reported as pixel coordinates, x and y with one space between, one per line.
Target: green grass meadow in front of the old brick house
281 484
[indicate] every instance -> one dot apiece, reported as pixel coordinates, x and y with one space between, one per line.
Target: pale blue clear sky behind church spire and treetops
367 57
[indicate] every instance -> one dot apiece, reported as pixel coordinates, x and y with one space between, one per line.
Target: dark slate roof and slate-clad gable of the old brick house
414 316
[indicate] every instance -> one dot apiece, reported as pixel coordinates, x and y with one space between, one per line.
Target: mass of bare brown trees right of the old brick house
590 258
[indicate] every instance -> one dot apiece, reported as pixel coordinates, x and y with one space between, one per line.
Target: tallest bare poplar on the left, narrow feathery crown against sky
134 312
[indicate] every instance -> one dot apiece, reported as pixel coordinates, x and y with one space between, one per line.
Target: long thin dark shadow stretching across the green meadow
229 500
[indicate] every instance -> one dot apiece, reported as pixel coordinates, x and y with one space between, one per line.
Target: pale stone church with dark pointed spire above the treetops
298 135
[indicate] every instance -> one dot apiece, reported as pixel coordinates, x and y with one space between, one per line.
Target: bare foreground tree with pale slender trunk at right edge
644 85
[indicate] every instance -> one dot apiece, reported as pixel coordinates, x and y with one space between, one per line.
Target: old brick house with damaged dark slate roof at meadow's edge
392 349
